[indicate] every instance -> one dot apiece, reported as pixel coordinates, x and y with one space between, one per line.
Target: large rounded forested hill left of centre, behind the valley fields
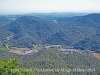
29 30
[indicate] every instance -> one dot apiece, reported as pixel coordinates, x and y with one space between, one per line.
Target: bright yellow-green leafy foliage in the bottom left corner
10 68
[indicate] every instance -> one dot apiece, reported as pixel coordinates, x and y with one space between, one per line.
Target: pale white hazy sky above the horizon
30 6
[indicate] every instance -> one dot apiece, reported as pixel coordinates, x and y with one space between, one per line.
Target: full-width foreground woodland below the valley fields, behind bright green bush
53 59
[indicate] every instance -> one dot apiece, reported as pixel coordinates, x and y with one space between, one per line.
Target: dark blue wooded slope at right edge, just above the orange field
92 43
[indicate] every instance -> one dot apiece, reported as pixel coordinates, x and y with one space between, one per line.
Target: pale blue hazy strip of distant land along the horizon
55 15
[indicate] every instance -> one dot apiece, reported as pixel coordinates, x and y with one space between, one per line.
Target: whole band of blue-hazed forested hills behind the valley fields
69 31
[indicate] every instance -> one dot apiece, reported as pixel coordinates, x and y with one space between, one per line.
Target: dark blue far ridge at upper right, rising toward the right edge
91 20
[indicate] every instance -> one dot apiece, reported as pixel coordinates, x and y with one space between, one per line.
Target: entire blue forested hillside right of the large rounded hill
76 30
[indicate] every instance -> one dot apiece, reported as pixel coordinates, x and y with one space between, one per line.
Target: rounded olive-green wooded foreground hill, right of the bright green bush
53 59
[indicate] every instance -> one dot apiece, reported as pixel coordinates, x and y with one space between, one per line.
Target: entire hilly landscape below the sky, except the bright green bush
52 41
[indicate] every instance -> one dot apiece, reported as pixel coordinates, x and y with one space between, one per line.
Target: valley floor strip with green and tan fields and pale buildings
37 48
